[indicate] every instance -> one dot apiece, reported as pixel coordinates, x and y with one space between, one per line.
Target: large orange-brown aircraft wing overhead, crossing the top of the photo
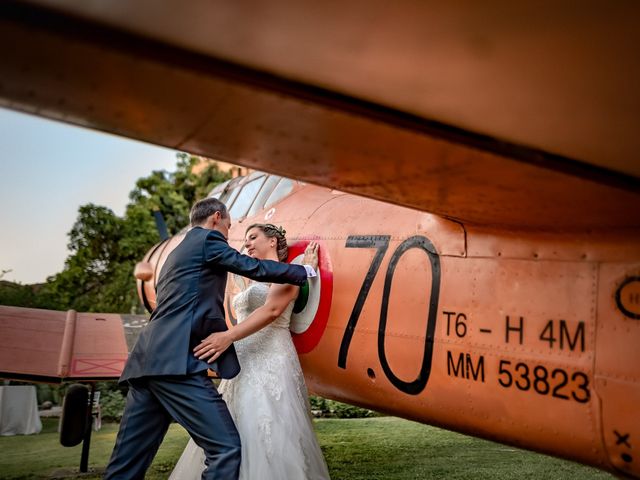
515 115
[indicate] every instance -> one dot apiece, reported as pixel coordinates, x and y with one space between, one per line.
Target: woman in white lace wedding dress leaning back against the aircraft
268 400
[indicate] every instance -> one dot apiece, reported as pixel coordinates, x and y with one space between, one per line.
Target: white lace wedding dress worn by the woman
269 404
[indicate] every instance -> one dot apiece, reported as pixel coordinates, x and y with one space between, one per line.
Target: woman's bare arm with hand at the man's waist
277 300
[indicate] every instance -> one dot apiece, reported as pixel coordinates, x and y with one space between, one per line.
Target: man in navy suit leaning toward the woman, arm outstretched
166 381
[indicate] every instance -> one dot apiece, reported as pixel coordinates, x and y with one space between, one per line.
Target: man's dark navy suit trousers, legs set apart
194 403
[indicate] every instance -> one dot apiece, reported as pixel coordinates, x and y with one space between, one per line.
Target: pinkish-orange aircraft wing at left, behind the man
51 346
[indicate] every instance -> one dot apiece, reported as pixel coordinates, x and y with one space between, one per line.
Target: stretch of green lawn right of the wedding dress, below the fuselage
394 449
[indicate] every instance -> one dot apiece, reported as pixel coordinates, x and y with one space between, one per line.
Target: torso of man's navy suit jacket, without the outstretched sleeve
190 306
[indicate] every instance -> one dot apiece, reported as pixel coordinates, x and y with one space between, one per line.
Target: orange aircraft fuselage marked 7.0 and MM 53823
527 339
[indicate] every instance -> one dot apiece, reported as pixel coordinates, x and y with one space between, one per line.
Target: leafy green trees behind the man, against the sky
104 248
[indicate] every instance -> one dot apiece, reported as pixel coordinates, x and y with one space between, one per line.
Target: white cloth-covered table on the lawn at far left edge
19 410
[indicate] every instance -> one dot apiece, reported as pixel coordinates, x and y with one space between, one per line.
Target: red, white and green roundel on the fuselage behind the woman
311 312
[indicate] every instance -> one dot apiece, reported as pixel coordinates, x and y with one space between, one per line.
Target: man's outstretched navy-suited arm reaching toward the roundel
219 252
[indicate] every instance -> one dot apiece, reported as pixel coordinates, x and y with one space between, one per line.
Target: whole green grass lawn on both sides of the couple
369 448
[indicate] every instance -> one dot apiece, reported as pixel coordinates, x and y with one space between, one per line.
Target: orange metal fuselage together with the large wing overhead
500 294
